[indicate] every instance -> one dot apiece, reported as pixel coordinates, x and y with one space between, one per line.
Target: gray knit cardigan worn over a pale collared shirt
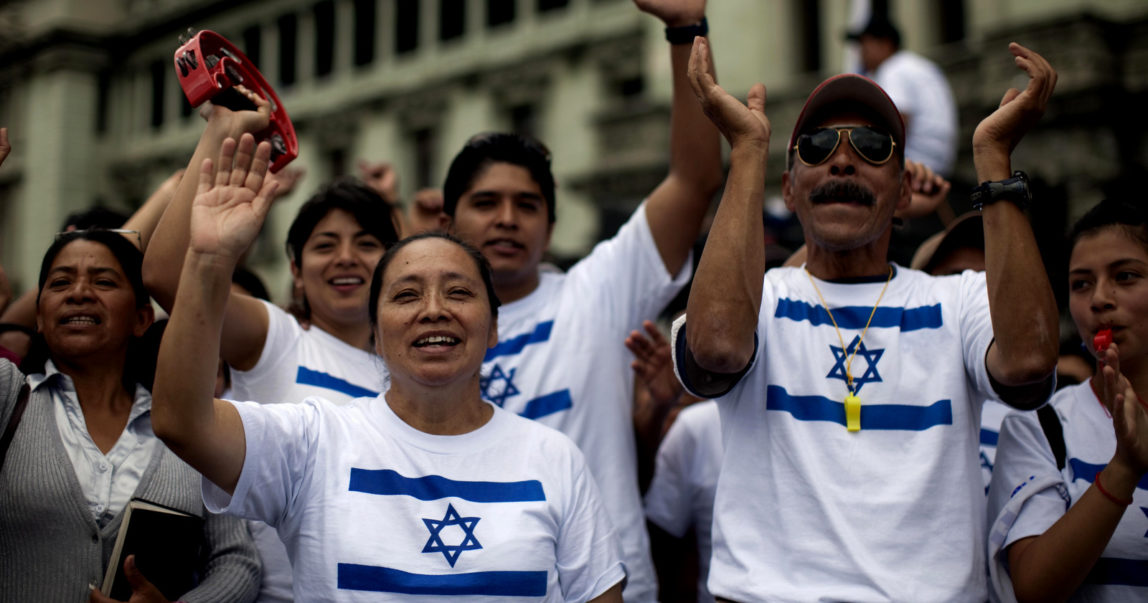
52 550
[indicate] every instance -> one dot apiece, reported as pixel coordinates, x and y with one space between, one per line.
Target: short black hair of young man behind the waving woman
485 150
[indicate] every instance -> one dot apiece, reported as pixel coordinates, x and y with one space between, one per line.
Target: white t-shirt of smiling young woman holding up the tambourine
298 364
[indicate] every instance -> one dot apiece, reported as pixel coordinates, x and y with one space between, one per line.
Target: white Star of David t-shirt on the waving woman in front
375 511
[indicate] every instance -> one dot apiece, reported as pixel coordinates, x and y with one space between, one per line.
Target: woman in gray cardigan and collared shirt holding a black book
84 445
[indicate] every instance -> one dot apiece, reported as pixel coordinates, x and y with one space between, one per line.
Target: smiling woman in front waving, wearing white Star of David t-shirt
475 501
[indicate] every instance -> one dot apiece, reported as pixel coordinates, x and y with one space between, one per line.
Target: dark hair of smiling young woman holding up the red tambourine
370 211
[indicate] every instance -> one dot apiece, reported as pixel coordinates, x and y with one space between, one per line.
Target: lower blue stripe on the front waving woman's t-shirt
354 577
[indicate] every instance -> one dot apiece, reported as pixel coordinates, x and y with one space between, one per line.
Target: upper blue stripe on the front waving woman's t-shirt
389 483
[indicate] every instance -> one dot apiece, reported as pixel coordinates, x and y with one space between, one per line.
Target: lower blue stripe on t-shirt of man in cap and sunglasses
873 416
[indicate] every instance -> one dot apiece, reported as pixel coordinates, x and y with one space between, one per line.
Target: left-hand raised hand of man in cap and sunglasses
741 125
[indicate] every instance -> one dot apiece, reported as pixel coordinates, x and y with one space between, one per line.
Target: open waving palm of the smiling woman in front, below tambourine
229 212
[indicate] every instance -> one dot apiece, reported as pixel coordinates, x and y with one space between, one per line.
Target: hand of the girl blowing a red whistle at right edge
1130 414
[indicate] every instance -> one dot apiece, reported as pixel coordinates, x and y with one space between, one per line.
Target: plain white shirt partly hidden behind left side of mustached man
685 482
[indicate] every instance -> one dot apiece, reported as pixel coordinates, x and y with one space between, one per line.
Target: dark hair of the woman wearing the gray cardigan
139 357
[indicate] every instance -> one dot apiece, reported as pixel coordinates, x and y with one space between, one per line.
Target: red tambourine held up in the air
210 67
